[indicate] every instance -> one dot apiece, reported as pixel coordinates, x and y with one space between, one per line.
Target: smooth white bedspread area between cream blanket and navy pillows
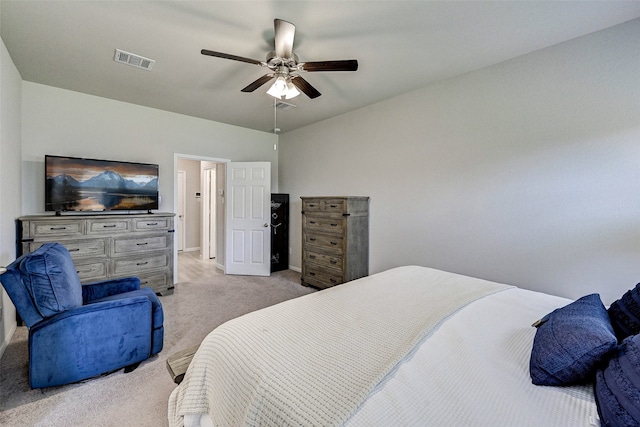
474 371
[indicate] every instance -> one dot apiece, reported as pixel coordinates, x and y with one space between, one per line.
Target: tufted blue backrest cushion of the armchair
51 279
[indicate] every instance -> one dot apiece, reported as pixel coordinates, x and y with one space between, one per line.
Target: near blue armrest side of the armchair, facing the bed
89 341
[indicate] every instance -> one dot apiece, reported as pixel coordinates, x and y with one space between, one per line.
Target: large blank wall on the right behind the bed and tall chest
527 172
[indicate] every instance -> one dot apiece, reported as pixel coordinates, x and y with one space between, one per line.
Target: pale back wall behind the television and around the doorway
57 121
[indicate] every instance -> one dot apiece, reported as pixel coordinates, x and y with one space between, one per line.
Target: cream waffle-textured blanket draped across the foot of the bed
315 360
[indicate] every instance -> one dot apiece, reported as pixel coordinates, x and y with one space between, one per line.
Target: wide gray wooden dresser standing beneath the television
109 246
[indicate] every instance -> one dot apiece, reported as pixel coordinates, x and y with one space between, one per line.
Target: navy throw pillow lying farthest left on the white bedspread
571 342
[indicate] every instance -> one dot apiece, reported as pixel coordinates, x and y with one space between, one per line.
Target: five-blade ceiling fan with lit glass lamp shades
285 67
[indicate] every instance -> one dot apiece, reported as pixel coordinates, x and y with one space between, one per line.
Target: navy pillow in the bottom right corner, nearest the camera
618 386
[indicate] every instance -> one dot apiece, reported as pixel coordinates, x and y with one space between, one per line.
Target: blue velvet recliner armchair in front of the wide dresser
75 331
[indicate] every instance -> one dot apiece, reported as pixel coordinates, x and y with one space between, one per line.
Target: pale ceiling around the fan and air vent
400 46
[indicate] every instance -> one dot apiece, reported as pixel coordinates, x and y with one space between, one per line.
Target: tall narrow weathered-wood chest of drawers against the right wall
335 240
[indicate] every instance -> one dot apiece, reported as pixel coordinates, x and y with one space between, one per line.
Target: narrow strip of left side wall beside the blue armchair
10 191
